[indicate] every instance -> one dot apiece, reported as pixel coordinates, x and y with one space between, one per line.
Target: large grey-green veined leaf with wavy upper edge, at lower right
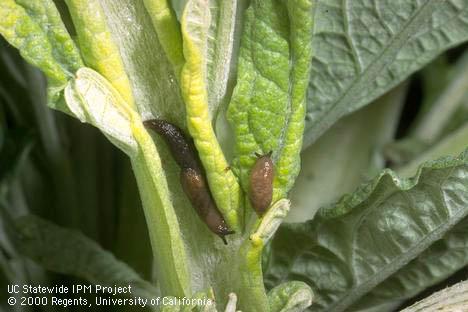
351 247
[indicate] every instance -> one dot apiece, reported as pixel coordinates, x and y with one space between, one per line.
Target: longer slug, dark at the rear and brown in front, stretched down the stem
192 175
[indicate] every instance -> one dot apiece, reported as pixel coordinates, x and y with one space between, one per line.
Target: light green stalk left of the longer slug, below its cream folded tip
172 264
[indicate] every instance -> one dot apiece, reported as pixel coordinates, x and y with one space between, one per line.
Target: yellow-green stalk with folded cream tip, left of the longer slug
102 106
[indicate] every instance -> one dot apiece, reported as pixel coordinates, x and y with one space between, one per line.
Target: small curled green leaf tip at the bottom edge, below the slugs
290 297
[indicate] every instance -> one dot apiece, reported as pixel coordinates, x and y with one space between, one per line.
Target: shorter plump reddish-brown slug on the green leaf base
261 184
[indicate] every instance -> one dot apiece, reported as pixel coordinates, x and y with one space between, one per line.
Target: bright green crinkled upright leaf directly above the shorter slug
267 107
